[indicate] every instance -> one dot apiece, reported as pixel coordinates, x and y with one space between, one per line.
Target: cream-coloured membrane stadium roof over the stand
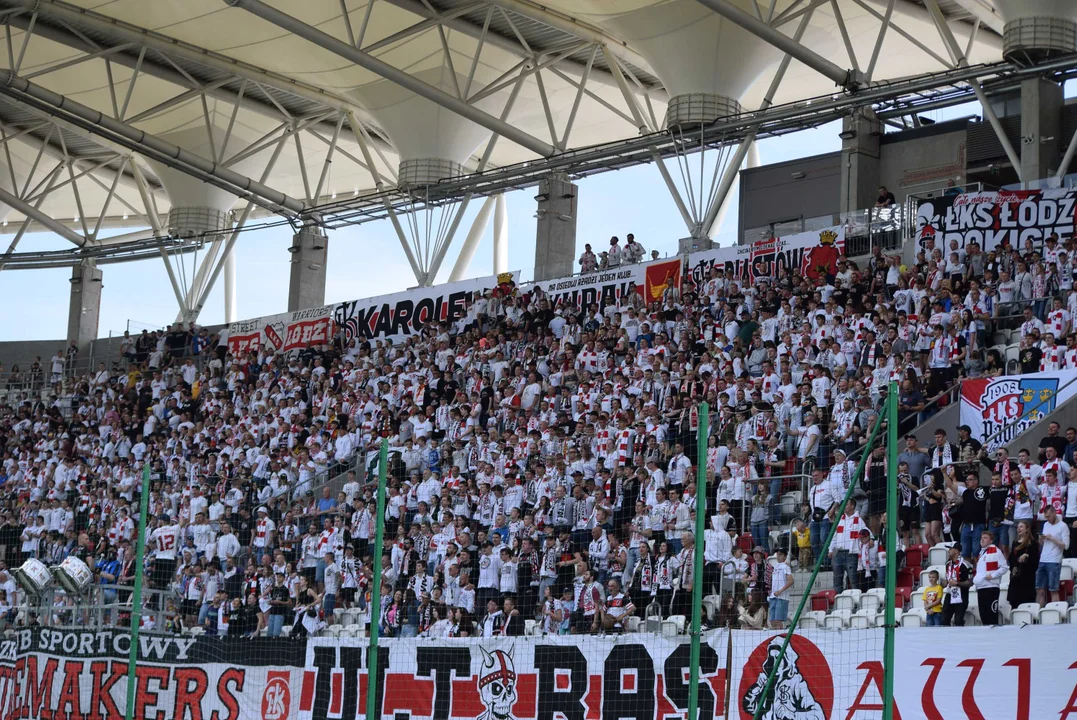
103 102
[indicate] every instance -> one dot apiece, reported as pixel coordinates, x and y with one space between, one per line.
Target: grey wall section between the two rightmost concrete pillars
924 160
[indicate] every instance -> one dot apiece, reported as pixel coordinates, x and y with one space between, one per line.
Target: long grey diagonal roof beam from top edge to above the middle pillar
395 75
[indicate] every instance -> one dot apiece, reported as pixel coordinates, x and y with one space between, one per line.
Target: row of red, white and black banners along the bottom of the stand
972 672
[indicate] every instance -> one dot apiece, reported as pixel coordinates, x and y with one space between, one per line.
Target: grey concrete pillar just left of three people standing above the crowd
556 241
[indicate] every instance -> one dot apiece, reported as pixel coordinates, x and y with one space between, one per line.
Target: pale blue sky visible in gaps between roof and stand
368 260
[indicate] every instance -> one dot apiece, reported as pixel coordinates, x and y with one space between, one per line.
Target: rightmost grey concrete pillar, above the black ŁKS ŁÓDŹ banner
1042 142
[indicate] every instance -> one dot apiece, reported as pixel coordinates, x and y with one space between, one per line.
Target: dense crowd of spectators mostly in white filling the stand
544 457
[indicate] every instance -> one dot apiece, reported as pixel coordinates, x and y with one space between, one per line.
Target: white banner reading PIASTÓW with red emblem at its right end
813 255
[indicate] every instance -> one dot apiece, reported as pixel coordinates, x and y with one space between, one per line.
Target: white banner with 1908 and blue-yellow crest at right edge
999 410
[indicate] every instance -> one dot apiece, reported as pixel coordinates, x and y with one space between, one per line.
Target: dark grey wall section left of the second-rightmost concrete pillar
773 194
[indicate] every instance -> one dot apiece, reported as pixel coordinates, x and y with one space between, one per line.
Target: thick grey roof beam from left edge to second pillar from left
174 157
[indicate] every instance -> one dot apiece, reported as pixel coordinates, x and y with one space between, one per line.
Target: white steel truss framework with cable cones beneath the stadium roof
584 57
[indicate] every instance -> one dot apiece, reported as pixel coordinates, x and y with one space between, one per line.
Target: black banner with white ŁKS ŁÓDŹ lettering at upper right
1022 218
